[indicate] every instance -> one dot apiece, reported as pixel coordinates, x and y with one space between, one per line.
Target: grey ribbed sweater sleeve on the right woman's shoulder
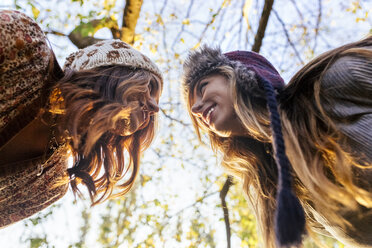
347 98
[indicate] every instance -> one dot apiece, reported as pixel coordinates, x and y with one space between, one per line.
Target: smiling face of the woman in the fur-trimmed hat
212 104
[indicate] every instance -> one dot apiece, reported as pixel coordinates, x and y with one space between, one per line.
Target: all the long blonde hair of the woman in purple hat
322 169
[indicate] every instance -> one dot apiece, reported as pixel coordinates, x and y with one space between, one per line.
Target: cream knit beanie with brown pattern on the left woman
110 52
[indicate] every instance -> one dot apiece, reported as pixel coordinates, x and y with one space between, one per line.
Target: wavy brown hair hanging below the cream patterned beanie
93 109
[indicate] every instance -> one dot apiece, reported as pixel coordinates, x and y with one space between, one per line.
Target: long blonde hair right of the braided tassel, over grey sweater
326 169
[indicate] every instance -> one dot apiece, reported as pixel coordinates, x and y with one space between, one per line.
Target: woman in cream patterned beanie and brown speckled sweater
103 103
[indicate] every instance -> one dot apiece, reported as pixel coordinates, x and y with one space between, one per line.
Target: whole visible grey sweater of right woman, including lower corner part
347 86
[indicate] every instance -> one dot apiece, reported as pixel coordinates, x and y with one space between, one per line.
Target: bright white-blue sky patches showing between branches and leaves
62 226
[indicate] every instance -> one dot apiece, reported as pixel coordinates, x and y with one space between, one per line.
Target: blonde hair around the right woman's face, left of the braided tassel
248 158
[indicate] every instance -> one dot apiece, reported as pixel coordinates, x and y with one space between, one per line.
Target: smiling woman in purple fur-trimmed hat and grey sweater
303 151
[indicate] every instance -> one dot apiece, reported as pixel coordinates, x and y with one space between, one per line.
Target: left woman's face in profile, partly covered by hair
146 107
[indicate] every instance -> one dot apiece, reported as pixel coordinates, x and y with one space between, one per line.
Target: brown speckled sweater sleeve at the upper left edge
24 64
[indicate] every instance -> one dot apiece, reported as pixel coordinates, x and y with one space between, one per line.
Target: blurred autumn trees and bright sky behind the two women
182 193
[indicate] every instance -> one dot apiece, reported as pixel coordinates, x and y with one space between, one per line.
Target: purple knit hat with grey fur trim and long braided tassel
250 67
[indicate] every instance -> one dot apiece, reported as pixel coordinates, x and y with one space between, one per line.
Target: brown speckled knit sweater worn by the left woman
24 58
